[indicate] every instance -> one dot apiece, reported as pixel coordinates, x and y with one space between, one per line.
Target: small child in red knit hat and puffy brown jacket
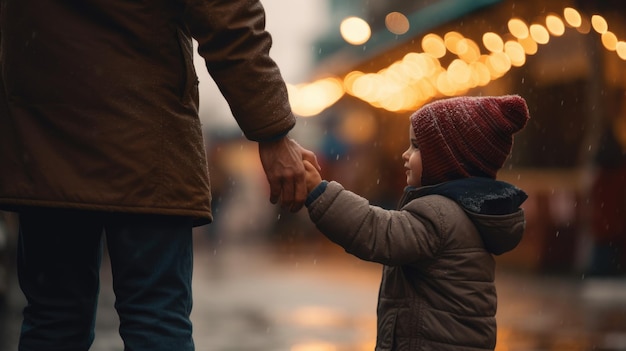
437 290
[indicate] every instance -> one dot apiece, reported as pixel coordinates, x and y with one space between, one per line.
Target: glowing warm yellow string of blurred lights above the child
419 77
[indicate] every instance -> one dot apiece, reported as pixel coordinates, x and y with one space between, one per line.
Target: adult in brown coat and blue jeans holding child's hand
100 133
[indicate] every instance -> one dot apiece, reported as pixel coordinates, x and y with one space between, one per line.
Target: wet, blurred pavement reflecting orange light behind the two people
314 297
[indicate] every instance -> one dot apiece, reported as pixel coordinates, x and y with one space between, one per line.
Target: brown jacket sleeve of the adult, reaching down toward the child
233 41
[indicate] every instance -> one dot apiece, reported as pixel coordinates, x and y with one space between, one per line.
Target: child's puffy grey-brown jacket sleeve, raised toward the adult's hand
374 234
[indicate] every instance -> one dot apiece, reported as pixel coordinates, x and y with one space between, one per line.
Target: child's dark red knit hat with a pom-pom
467 136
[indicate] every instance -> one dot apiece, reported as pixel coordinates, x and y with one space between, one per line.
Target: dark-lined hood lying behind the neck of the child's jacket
492 205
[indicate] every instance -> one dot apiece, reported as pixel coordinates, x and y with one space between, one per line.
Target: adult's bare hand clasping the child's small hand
282 163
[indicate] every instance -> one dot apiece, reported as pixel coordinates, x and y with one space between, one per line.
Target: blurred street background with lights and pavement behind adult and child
356 69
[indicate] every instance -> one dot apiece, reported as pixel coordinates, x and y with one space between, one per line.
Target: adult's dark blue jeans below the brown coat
59 256
